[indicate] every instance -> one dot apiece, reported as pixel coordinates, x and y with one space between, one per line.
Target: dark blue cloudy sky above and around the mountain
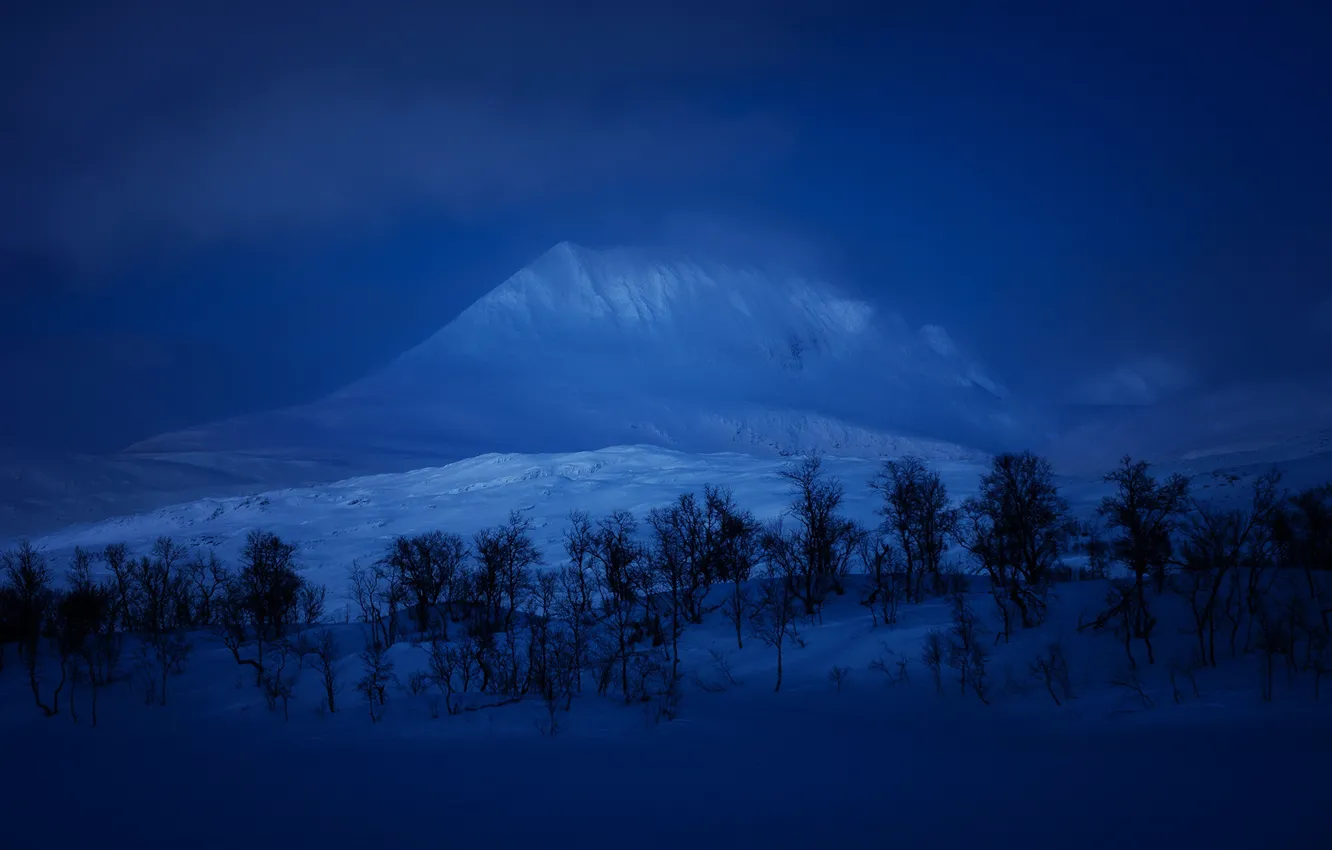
215 207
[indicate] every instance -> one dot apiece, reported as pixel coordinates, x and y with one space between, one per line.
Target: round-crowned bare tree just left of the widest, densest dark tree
917 516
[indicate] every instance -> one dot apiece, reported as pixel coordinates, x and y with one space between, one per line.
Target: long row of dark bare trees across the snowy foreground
499 624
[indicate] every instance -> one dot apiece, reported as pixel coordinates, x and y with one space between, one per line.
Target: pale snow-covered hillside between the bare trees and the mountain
339 523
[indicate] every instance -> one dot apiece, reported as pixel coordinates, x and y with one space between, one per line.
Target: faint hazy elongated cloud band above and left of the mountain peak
318 155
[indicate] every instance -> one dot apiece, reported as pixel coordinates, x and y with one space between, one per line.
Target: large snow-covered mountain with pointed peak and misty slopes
592 348
